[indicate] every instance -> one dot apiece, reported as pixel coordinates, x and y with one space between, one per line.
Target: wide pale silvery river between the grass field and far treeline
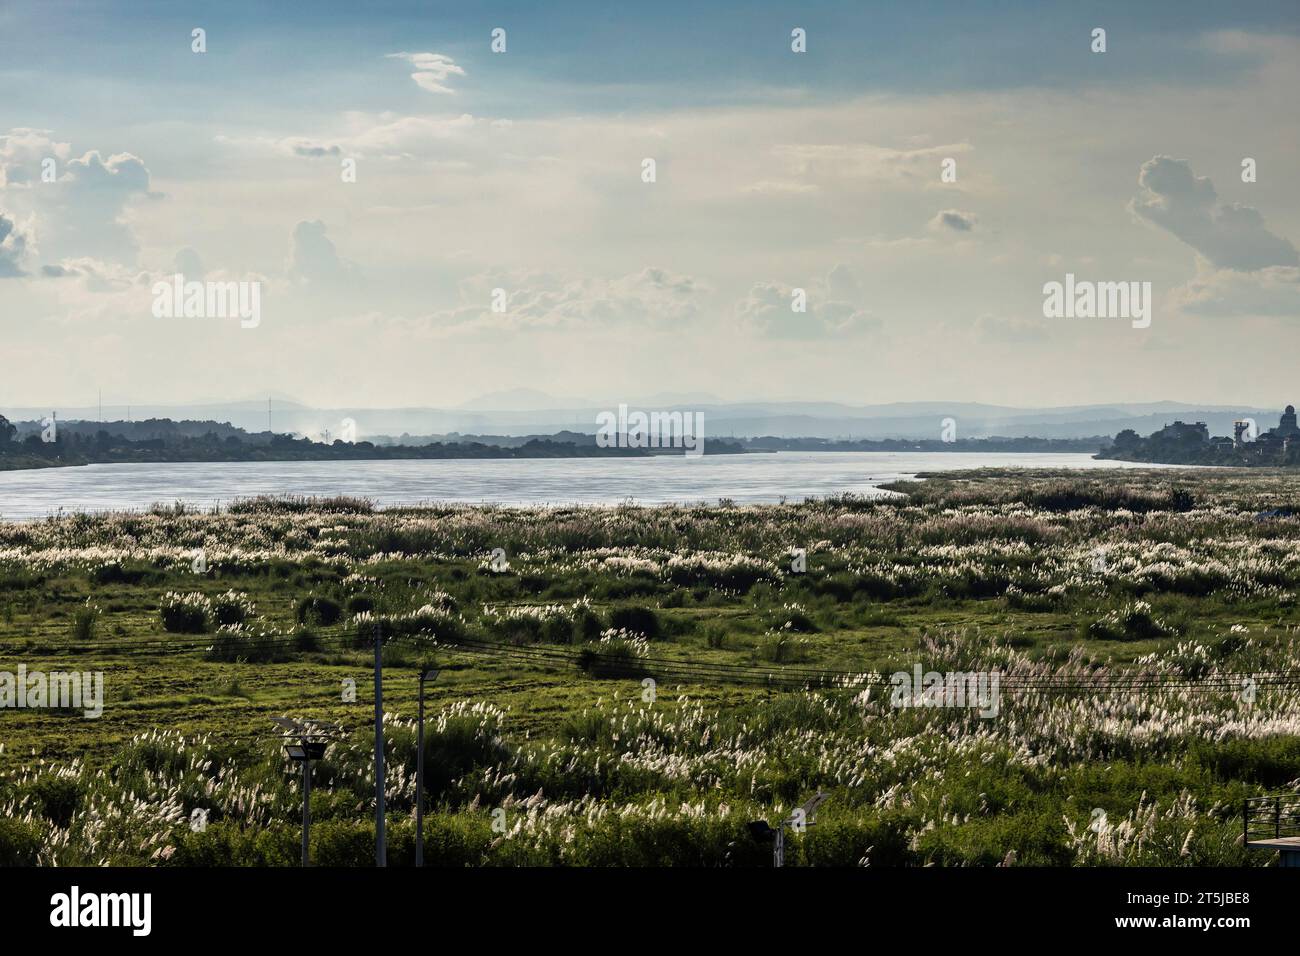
756 478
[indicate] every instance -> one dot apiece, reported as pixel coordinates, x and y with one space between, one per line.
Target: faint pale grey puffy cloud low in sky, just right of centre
833 309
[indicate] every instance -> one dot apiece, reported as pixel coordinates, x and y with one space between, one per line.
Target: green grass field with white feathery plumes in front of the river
547 745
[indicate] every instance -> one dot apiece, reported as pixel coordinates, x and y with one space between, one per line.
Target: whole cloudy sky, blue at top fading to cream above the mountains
501 233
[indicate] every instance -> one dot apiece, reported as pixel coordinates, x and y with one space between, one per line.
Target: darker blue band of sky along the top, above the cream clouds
612 57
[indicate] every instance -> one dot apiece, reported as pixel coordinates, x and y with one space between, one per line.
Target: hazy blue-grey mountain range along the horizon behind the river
527 413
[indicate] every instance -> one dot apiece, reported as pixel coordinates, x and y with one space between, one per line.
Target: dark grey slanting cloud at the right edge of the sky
1228 236
